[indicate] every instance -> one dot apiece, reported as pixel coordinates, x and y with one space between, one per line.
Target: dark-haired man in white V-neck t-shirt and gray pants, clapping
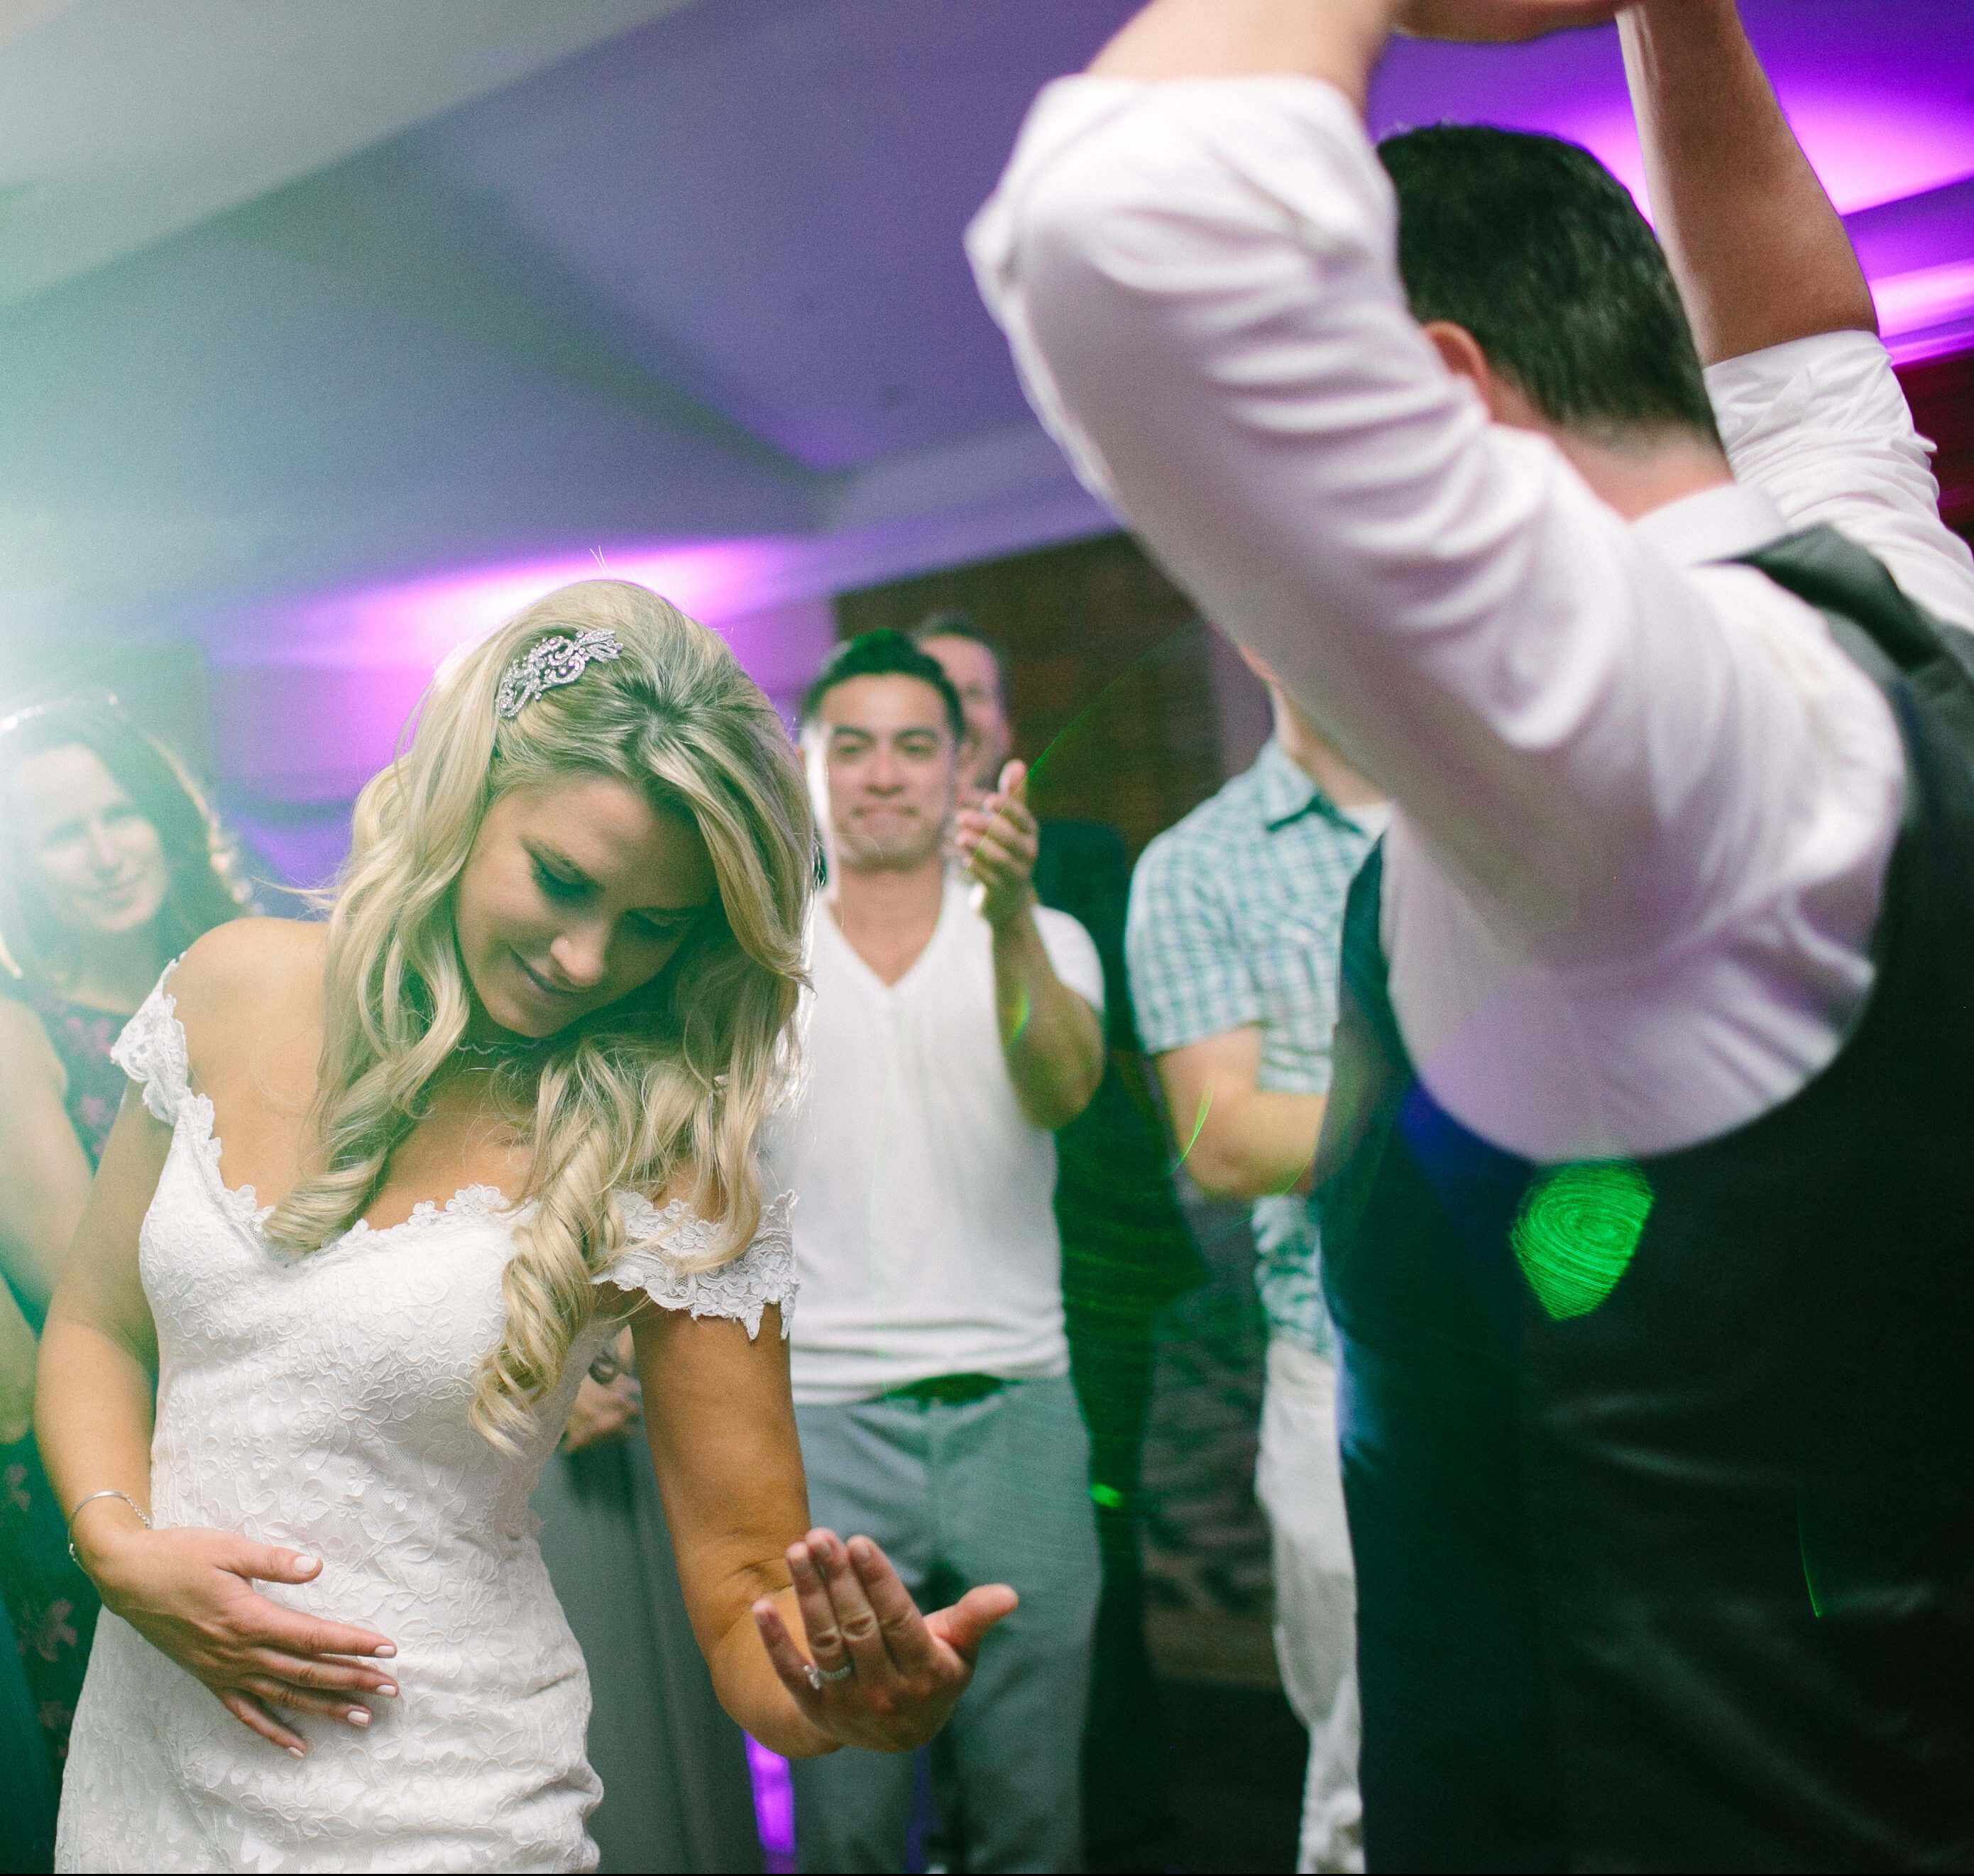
952 1026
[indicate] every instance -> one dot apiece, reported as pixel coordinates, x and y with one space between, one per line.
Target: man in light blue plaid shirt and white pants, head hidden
1233 947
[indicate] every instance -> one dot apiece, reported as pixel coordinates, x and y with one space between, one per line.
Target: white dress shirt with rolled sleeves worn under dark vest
1645 803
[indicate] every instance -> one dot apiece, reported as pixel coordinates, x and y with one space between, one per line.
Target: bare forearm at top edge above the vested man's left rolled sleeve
1337 40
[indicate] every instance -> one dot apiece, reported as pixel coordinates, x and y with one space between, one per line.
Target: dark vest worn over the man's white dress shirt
1661 1476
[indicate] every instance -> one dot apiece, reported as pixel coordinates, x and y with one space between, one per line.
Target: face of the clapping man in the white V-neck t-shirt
883 767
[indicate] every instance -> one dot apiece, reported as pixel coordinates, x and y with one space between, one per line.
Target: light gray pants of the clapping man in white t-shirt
960 1496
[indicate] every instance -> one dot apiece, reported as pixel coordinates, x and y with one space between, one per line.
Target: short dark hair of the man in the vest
1541 254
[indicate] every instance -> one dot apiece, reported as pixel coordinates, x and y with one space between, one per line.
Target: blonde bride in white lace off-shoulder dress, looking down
504 1103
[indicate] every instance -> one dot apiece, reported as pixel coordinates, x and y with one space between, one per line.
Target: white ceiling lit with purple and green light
309 299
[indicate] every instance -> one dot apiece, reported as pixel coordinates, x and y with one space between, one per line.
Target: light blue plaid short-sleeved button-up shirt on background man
1237 919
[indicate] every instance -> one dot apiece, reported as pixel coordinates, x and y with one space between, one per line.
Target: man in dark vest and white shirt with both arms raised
1641 1229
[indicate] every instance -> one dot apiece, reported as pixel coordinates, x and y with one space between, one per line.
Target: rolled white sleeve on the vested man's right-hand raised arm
1825 431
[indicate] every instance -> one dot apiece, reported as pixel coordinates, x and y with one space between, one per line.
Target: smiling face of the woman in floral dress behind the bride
98 860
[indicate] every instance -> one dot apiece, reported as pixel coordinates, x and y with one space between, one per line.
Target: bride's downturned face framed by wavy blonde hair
575 896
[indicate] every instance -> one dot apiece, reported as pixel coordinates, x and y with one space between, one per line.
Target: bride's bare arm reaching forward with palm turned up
759 1585
